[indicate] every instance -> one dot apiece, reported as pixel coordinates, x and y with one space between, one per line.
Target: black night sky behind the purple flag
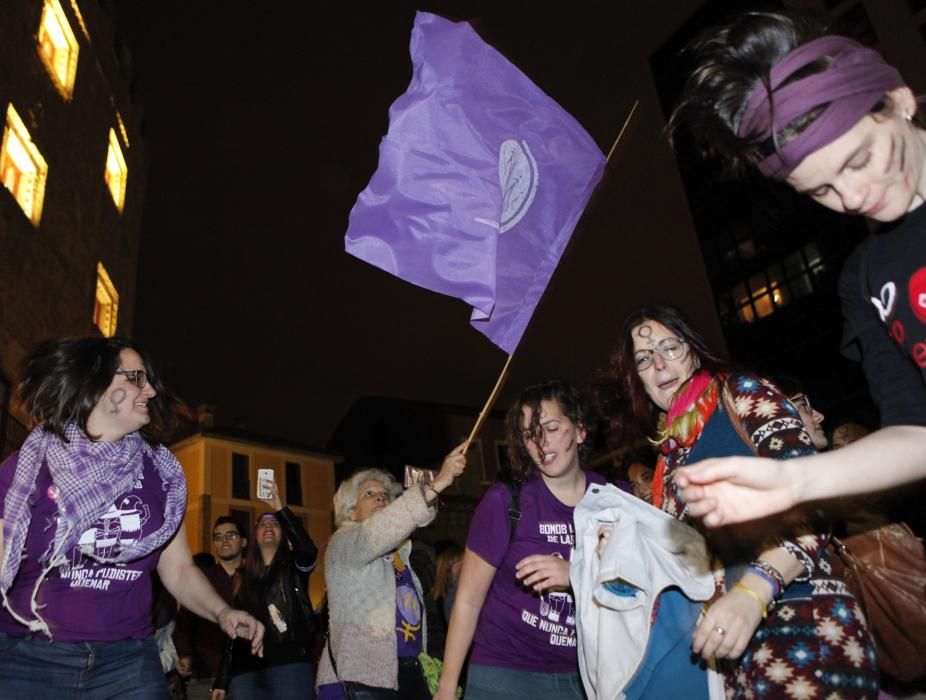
262 123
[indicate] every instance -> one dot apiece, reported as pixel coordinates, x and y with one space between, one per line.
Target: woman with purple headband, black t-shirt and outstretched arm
836 122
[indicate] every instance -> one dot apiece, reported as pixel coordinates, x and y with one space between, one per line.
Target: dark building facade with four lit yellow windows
72 166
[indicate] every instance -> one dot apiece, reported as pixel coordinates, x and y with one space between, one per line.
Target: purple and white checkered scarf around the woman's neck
89 477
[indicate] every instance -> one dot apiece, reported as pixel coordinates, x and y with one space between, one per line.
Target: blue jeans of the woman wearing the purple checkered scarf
39 669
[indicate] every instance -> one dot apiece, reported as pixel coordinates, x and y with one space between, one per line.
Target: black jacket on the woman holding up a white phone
284 586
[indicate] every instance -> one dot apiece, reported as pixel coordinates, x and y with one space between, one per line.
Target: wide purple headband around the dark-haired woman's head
851 85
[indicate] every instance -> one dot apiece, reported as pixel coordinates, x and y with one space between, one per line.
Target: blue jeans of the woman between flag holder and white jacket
492 683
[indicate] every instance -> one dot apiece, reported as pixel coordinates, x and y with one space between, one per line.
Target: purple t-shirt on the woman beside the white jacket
519 629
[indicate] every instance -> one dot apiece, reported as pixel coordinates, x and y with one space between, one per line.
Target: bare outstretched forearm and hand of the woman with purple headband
736 489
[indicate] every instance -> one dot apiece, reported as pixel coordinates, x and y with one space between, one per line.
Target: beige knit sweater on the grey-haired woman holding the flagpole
362 592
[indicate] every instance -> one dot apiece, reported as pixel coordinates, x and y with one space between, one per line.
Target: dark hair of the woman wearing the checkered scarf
64 379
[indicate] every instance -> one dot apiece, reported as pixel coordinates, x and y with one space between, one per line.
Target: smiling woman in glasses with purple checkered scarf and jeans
92 505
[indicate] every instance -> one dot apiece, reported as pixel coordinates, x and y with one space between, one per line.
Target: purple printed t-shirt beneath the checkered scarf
84 600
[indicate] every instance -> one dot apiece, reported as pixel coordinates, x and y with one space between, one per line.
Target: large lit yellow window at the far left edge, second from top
22 167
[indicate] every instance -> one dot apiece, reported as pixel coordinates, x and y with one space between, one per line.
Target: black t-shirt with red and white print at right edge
883 292
